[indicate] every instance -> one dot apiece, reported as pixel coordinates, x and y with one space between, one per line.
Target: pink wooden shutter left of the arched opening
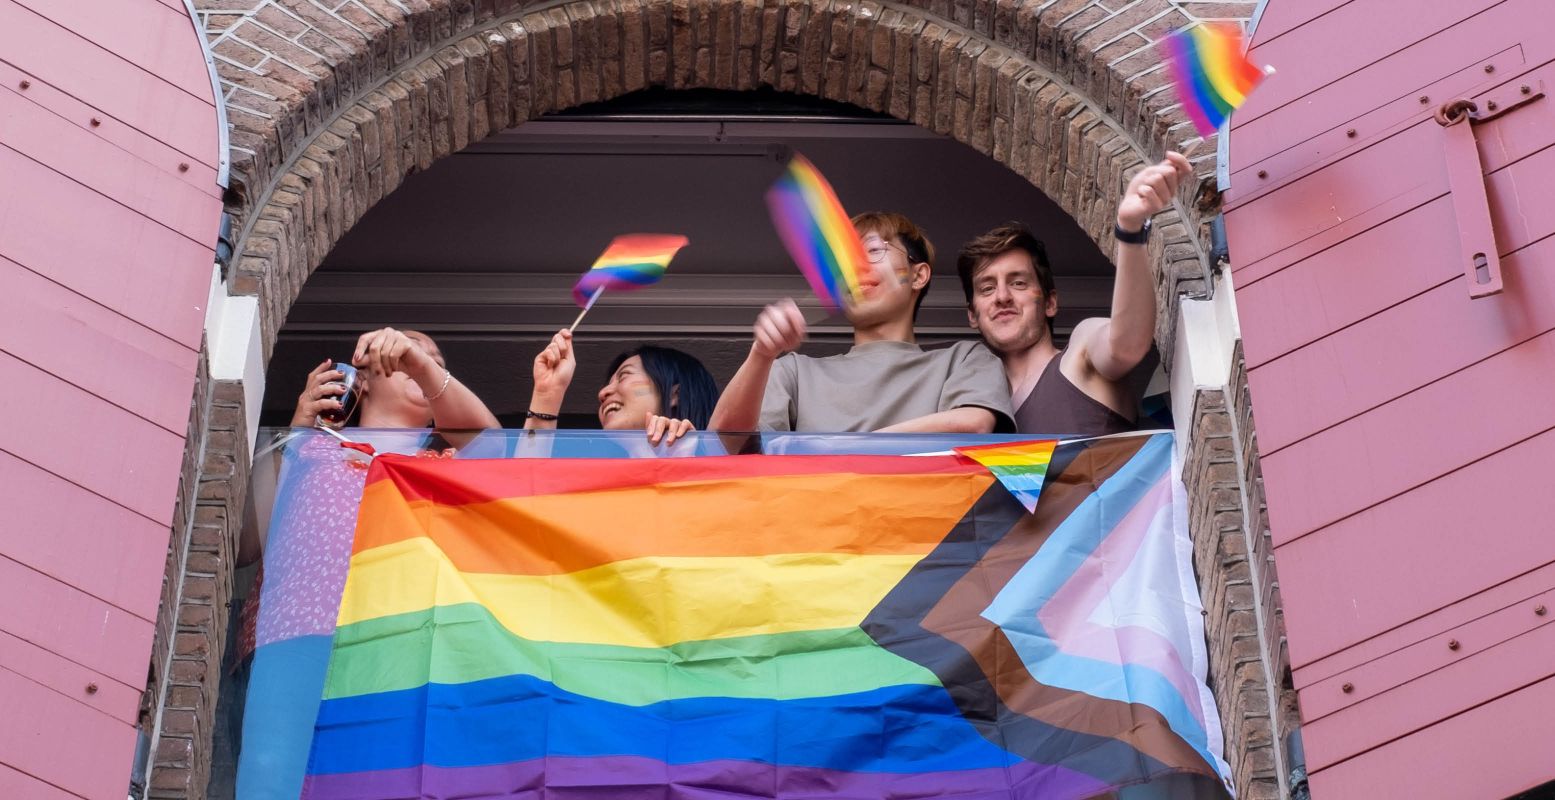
108 220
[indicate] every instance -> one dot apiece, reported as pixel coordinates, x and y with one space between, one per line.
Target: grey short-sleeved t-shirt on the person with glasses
882 384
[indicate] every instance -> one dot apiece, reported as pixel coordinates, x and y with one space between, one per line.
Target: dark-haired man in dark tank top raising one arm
1092 387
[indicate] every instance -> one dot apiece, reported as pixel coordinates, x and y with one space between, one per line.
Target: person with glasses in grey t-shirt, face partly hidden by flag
886 382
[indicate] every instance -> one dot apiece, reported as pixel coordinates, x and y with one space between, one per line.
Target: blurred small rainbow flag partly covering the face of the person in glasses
817 233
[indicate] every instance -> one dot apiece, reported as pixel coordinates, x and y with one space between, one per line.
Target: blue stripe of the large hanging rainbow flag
472 725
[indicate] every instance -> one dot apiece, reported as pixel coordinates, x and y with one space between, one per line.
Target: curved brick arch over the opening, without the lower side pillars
335 104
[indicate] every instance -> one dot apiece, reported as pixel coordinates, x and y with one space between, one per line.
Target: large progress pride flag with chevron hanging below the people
767 628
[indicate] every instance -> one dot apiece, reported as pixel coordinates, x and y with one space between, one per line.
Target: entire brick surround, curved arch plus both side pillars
334 104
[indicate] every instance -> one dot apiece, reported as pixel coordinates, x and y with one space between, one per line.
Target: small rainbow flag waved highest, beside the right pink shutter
1212 72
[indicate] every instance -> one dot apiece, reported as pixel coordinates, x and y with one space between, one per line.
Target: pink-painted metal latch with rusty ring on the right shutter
1467 181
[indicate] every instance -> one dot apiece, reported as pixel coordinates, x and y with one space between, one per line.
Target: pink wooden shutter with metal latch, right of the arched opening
1406 430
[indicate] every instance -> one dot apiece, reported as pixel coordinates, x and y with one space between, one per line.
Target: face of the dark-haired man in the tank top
1008 306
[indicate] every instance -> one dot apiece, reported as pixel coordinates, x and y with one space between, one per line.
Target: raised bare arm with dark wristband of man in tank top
1117 345
